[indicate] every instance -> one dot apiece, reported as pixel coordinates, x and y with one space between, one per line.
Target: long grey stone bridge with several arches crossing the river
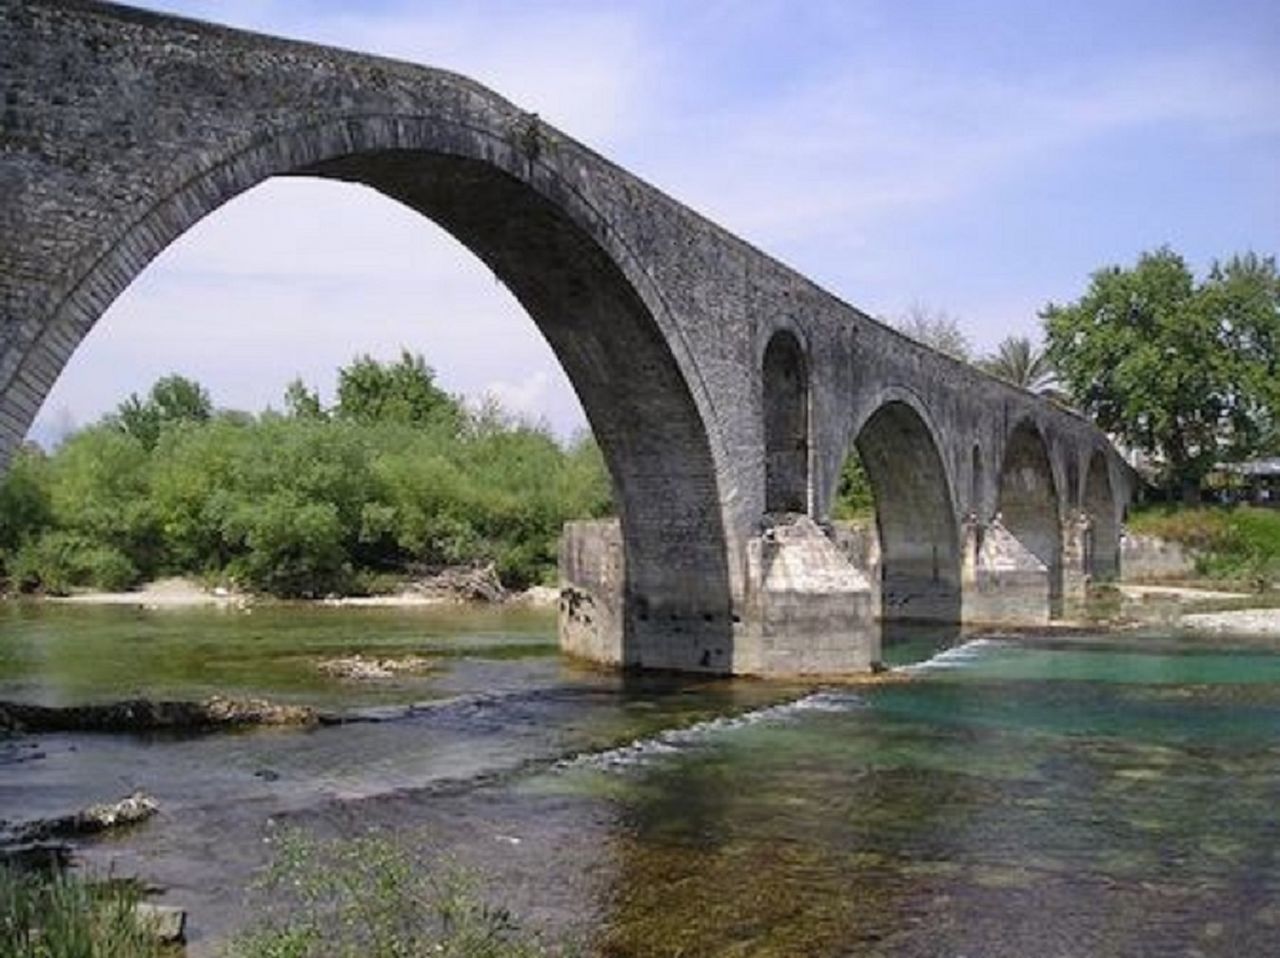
724 389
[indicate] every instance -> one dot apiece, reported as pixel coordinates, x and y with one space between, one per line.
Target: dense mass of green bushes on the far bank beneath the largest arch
396 481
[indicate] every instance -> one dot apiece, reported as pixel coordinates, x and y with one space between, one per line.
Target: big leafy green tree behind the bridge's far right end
1187 373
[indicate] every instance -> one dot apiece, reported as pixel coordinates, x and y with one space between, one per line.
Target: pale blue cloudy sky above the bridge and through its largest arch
980 159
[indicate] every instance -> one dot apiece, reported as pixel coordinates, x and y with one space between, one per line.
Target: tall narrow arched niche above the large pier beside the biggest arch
785 384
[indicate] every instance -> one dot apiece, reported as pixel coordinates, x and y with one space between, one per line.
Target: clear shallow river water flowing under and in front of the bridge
1095 796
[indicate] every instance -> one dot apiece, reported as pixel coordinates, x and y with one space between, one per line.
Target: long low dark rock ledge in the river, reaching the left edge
147 715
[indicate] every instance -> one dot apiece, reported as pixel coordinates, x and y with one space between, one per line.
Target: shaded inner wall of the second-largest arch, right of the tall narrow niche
915 517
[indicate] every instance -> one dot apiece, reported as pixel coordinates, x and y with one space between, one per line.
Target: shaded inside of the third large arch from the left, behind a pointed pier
1028 505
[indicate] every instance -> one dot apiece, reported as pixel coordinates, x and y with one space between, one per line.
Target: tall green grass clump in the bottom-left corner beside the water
67 916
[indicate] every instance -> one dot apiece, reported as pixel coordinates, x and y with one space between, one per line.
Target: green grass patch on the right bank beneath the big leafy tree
1233 544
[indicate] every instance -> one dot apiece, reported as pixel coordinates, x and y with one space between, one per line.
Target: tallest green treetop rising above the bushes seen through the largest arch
394 393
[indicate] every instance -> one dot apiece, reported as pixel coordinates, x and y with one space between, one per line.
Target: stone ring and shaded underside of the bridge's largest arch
556 253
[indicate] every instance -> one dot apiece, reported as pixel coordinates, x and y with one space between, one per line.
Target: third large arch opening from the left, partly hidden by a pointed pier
1028 513
